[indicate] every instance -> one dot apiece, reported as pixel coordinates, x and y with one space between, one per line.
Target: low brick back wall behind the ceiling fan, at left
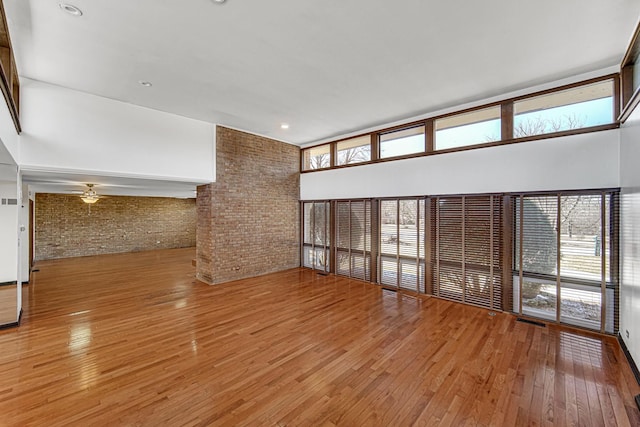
65 228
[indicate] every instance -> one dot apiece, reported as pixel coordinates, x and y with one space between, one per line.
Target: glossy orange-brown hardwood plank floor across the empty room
134 340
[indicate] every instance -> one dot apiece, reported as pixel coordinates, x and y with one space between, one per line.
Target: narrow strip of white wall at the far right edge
630 234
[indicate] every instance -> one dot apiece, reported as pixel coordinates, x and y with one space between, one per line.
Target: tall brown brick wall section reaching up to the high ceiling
248 220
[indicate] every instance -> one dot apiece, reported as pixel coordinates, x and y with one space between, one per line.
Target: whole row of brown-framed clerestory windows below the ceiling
591 105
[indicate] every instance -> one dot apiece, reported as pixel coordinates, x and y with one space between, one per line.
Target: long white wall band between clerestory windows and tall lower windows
585 161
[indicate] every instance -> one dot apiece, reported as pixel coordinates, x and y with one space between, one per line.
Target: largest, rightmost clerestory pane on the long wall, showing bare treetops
575 108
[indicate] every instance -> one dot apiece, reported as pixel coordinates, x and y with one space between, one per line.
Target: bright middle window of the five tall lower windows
402 254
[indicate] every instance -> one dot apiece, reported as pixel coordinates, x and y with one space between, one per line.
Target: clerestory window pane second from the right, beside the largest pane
475 127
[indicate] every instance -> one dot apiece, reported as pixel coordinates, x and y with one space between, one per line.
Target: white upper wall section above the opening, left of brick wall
70 131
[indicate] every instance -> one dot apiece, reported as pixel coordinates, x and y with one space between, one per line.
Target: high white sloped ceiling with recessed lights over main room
327 68
